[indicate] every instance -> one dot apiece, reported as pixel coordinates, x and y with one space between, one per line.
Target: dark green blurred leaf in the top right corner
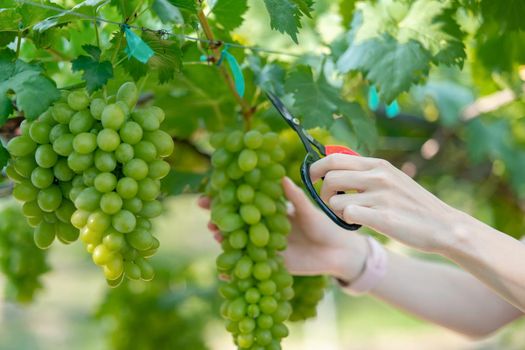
509 14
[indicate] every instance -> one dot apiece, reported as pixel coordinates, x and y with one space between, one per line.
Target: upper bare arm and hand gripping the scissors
395 205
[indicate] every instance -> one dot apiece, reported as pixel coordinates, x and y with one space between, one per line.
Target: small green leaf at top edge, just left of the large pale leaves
284 16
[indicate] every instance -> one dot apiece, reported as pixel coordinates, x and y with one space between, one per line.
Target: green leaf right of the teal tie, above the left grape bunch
168 56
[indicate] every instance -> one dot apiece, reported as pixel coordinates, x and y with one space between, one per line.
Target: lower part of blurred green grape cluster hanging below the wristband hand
308 292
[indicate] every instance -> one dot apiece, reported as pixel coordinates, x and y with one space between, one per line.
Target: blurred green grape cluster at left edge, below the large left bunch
21 261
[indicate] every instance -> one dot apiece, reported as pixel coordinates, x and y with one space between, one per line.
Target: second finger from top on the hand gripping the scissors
343 180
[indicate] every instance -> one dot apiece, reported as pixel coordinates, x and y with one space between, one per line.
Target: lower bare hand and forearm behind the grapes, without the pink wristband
437 292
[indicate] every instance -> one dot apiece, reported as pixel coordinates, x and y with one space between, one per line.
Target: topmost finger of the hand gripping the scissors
343 162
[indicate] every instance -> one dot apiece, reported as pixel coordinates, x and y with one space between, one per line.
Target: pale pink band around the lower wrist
373 271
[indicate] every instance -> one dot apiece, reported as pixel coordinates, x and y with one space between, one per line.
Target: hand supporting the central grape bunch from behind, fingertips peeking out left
315 245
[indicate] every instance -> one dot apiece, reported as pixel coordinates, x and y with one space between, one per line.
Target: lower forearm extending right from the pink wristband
444 295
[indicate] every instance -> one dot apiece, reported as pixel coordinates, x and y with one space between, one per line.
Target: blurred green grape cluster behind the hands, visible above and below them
308 290
